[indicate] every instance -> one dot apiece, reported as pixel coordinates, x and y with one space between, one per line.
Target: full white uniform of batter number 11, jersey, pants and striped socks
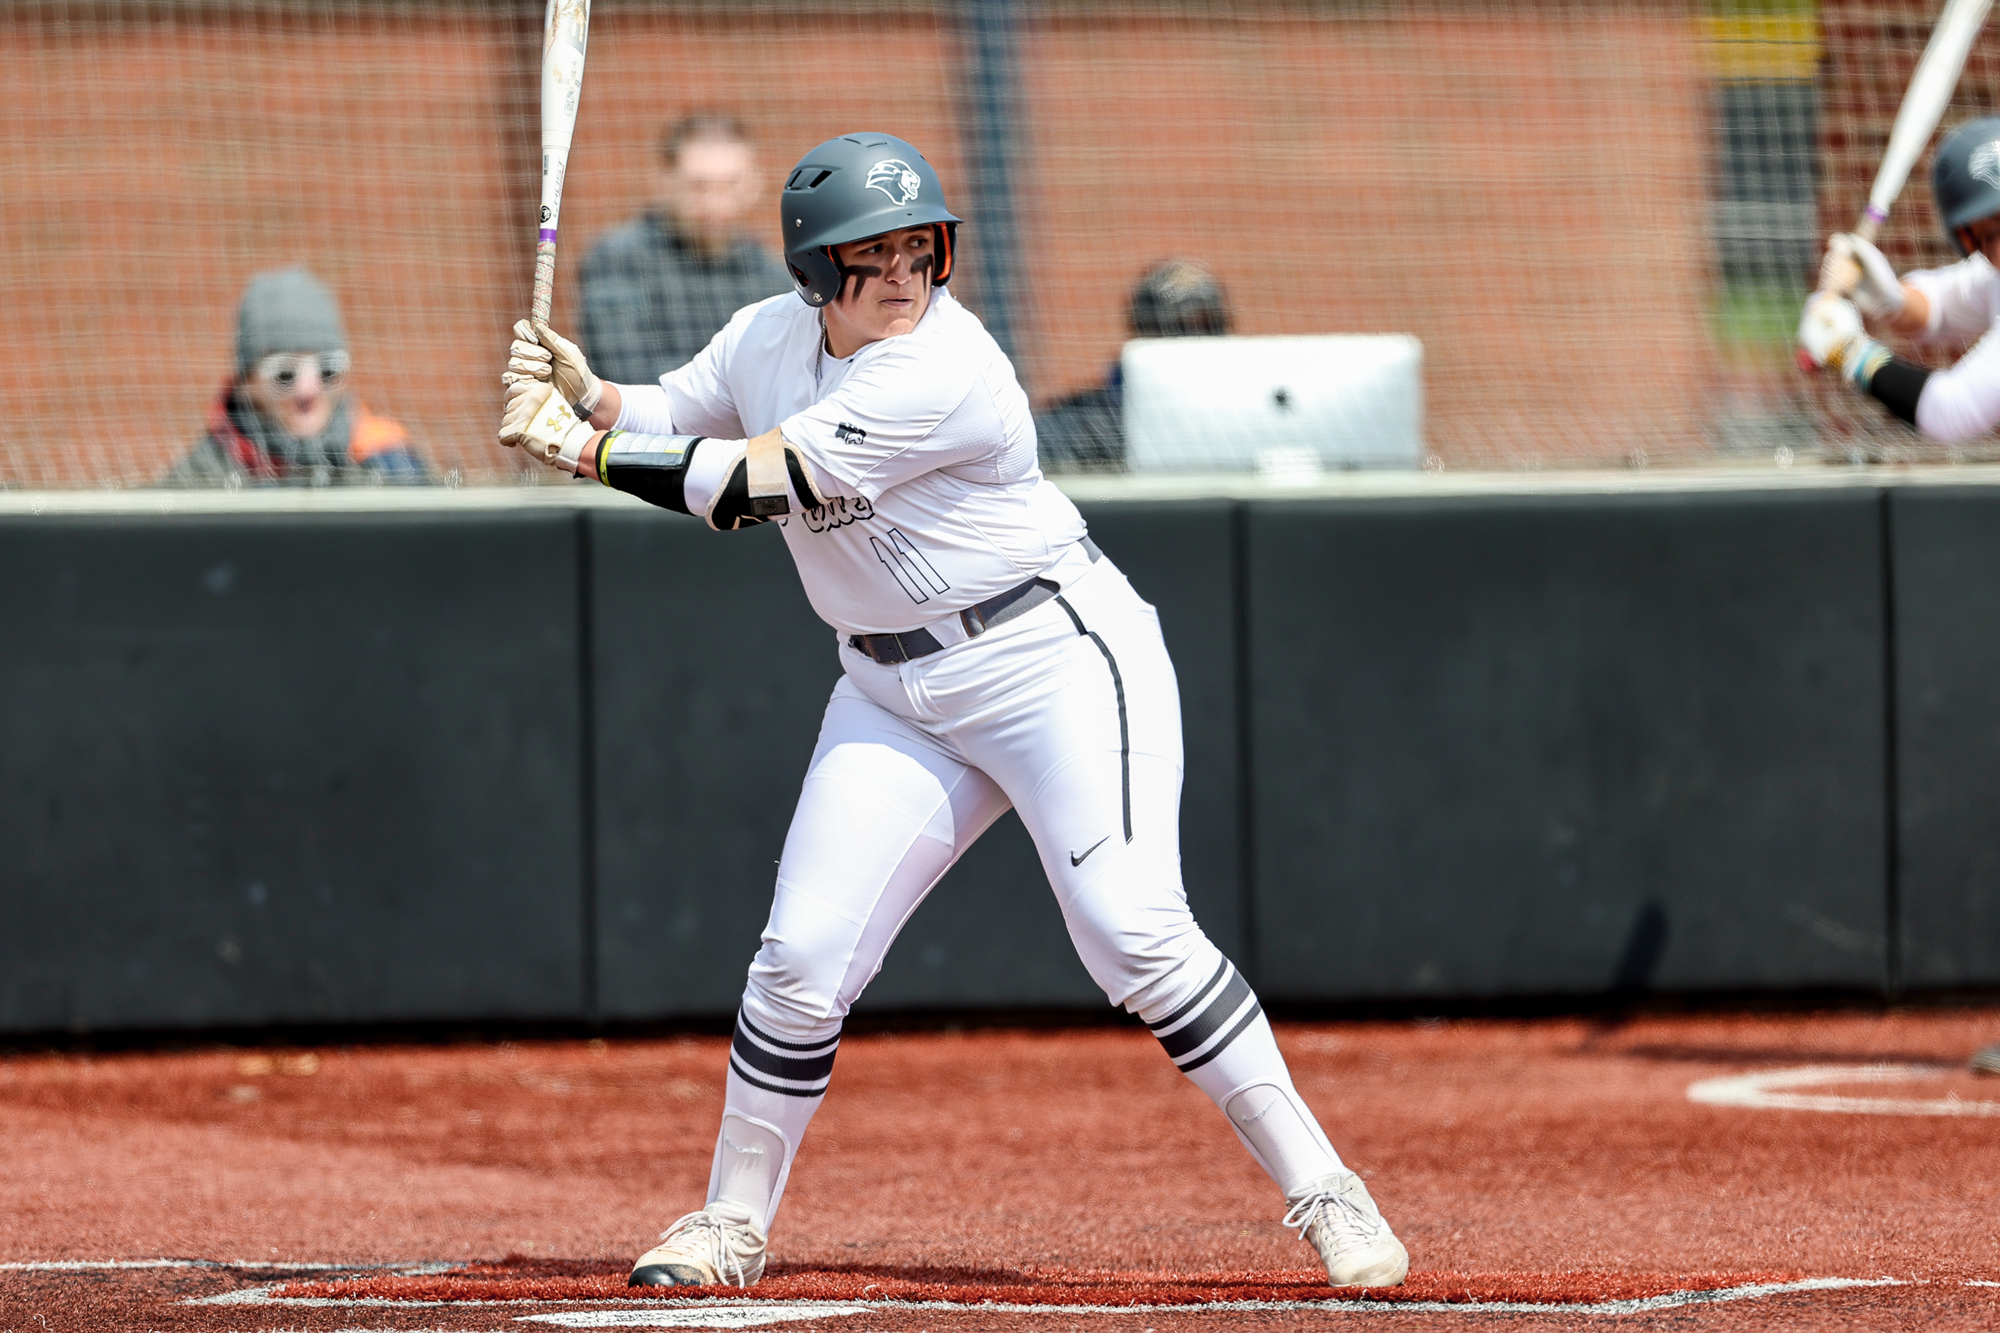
1069 714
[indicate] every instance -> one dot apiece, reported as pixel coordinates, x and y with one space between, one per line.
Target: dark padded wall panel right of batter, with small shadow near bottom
1567 746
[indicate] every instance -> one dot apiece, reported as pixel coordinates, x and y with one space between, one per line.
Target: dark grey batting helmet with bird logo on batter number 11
851 189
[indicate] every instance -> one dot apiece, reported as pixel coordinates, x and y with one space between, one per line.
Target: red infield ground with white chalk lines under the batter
1545 1174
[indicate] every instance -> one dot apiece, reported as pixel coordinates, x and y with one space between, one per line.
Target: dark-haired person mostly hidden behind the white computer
1087 429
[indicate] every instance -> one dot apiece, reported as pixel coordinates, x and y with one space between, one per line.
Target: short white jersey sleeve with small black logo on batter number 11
895 419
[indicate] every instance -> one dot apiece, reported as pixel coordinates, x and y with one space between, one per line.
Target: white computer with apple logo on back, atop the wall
1285 407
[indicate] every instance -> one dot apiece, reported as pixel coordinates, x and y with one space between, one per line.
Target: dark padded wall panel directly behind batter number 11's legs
701 756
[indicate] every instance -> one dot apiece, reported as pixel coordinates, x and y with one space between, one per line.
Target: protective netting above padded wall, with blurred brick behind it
1599 219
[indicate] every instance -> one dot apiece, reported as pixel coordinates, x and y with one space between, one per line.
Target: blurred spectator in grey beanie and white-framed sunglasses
287 417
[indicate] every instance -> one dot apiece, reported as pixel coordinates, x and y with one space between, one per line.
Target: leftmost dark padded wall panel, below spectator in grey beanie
265 770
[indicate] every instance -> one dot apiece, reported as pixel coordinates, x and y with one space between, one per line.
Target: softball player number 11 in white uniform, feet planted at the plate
993 657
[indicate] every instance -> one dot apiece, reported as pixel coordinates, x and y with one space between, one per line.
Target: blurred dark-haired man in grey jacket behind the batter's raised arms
663 285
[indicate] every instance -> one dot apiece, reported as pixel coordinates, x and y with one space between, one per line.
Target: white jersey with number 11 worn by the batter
923 443
